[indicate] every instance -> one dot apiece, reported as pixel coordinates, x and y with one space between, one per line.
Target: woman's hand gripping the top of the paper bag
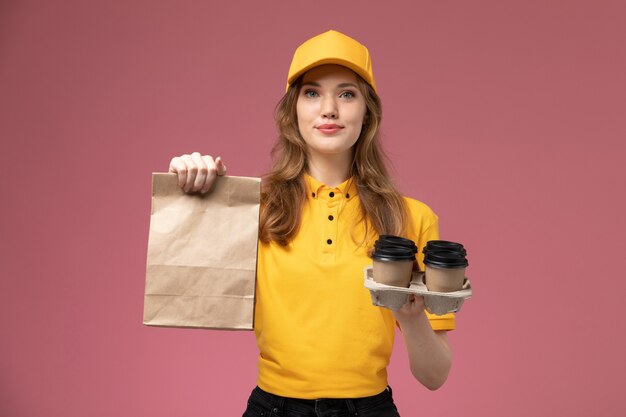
197 173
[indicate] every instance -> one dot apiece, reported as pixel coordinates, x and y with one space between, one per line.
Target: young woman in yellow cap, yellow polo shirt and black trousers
324 347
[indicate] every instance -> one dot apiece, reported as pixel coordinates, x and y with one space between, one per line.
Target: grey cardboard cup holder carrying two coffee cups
436 302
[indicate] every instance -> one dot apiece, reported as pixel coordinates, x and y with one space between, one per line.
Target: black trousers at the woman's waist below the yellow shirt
264 404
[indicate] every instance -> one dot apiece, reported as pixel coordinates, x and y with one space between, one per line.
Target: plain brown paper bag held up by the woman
202 252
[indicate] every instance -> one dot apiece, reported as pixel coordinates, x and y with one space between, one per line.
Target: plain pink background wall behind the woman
507 117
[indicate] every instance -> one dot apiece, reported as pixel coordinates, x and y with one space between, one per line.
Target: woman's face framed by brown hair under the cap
331 110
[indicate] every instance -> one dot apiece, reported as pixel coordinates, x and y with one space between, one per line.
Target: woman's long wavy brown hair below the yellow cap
284 190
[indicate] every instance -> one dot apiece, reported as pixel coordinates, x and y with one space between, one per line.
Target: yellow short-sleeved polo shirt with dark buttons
319 336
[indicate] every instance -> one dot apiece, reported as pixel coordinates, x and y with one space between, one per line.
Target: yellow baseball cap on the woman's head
332 47
